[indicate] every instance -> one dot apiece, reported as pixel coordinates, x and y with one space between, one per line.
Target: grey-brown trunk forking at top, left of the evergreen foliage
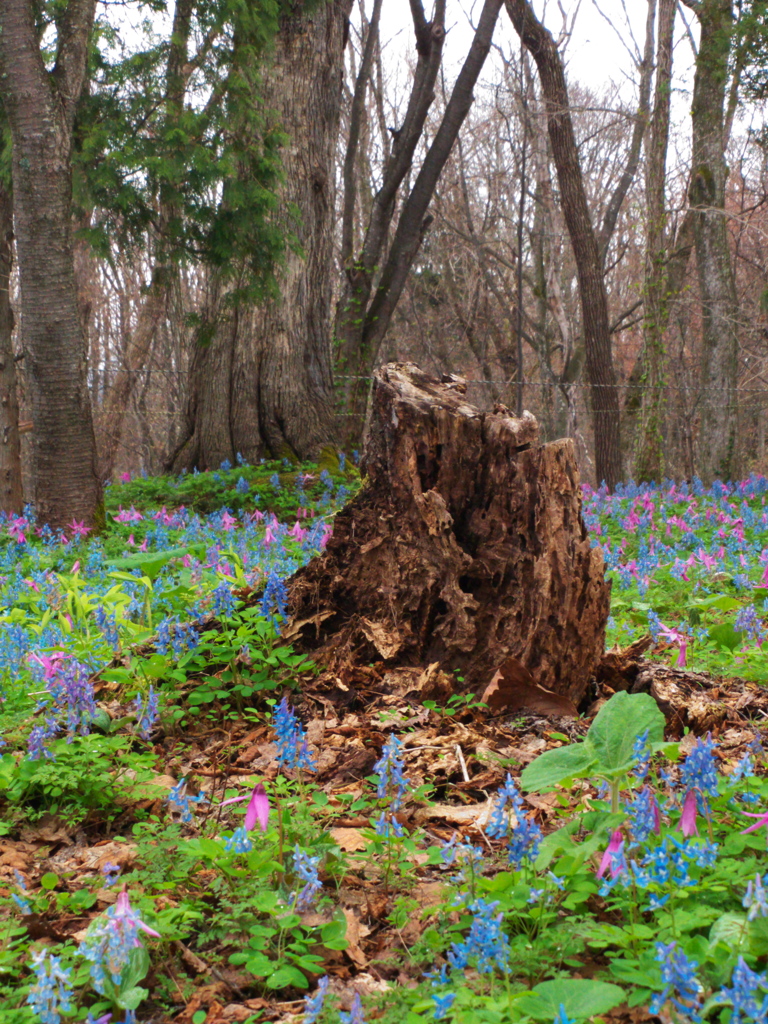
40 106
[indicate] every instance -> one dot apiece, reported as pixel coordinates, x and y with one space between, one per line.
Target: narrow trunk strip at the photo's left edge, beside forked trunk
12 497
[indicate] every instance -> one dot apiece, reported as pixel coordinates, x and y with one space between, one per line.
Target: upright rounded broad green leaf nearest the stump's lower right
618 726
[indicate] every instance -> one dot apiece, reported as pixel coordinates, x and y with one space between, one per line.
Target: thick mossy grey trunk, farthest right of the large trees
718 455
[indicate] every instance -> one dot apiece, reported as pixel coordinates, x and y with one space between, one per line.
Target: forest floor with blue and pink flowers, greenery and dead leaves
435 859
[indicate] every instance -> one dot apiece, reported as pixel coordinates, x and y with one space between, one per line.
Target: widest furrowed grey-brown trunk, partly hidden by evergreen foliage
262 376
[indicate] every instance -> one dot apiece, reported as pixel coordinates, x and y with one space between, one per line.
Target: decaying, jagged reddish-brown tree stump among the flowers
465 547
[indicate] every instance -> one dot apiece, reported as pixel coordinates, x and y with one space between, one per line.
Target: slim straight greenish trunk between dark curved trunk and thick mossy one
650 462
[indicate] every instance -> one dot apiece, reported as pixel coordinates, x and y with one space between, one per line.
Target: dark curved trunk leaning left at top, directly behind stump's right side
584 240
